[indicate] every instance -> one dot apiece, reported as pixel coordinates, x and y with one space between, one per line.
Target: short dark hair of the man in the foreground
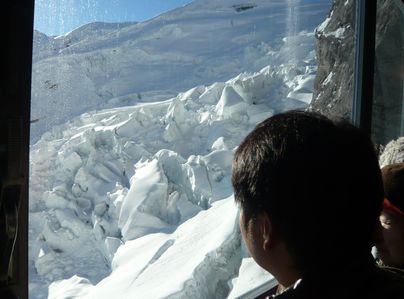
318 180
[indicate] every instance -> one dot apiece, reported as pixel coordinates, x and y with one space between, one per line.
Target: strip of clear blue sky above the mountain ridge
55 17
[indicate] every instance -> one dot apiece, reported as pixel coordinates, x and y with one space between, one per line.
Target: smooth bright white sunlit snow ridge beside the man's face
201 270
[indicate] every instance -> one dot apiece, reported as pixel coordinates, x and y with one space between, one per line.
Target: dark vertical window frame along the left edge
18 19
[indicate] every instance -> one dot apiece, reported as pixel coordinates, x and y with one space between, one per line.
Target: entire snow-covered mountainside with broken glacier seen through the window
132 198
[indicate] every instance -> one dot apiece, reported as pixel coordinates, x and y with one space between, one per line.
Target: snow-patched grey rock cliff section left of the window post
335 54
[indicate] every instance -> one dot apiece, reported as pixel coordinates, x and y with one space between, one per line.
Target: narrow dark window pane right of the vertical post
388 109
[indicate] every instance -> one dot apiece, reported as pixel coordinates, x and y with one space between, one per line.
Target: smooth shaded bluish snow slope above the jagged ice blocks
116 65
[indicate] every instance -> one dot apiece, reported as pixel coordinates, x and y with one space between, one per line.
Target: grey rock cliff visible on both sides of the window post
335 54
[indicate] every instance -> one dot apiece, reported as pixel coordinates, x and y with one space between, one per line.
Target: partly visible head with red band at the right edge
390 246
